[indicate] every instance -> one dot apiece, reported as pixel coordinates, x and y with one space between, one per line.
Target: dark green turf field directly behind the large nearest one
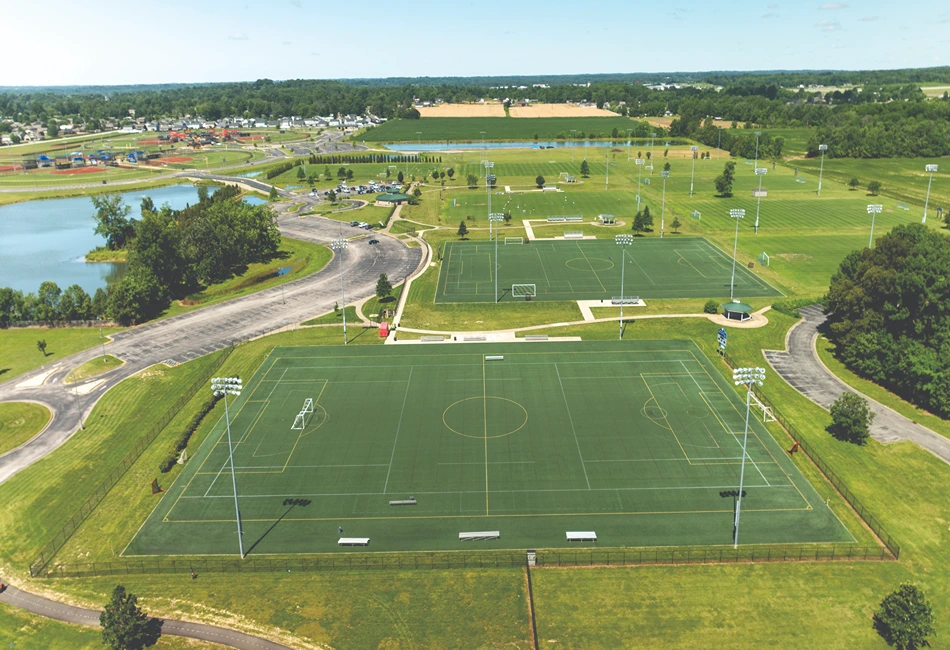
672 267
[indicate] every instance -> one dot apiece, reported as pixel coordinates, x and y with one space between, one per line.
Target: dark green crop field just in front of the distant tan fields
496 128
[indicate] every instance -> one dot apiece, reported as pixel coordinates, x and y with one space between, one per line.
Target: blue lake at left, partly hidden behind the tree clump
46 240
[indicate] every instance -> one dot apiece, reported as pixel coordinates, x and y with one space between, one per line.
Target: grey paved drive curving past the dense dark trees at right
801 367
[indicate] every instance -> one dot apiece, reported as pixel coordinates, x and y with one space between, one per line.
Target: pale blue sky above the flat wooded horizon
120 42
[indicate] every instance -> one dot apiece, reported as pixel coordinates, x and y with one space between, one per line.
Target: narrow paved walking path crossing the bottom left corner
90 617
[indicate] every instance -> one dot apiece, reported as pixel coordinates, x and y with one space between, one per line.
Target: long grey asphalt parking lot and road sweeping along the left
200 332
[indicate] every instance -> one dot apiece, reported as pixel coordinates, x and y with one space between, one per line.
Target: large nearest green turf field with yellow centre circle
635 441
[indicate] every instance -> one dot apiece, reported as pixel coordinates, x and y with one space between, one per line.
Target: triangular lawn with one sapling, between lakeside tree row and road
18 353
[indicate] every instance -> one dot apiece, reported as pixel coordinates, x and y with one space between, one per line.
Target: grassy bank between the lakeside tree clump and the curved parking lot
299 257
